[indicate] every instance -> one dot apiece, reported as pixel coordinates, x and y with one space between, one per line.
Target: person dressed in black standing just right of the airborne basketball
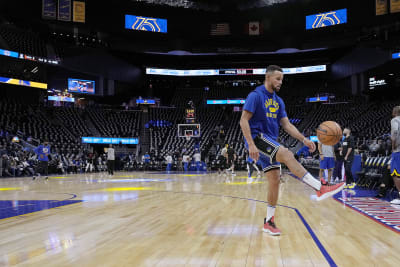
348 154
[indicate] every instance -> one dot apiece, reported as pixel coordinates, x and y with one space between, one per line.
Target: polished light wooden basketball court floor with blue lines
159 219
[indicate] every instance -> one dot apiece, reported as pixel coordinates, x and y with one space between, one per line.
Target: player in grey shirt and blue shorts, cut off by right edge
395 162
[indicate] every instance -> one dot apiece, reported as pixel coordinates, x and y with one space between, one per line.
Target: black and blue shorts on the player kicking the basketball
268 148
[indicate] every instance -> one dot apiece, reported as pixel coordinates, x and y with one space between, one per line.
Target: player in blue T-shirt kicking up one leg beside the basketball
262 114
